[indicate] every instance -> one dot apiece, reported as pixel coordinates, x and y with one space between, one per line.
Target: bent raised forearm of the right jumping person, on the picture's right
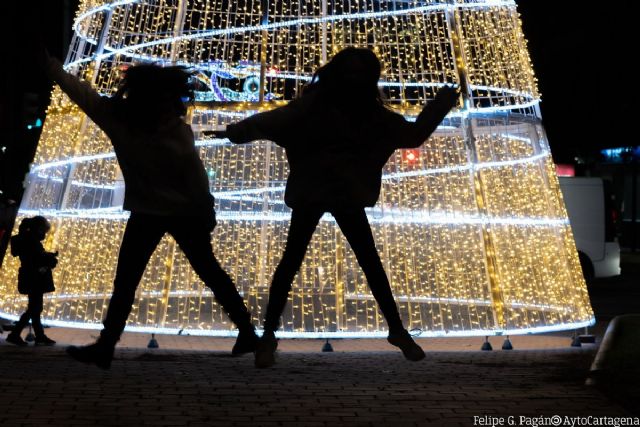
412 135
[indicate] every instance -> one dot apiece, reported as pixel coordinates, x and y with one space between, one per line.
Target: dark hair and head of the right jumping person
331 82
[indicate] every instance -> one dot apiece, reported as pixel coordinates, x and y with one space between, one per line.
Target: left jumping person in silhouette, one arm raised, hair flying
166 190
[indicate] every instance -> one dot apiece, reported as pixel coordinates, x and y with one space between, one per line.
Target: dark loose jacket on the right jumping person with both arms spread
336 159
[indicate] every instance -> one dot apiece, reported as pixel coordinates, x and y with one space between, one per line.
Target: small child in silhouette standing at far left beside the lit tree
34 276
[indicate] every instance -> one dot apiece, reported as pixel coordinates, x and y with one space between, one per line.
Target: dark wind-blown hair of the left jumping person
150 94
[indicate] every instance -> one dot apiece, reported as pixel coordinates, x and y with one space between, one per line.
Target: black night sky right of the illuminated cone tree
581 58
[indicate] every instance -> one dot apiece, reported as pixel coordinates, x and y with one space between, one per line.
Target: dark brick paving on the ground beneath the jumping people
193 381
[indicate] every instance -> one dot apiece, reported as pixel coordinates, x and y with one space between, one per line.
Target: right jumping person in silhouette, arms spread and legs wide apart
337 137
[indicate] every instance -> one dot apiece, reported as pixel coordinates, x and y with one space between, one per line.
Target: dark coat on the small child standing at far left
34 275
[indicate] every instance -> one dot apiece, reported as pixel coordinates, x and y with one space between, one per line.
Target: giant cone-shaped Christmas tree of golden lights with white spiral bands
471 226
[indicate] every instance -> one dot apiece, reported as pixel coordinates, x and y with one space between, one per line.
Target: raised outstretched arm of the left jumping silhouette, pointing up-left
79 91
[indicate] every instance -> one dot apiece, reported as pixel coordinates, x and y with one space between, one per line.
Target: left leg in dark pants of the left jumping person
141 236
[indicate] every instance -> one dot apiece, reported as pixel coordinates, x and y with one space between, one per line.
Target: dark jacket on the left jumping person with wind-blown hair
162 169
